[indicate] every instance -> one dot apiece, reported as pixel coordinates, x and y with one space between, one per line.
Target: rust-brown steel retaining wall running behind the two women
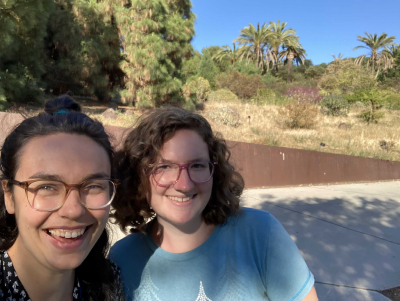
263 166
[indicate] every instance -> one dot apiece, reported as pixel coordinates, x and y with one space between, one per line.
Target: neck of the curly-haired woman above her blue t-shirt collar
180 238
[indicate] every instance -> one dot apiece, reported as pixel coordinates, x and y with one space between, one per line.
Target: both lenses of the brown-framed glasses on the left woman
48 195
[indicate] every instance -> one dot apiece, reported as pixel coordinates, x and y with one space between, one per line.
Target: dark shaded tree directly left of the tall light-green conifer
83 48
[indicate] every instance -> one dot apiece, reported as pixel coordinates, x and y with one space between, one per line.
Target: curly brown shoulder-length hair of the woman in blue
141 149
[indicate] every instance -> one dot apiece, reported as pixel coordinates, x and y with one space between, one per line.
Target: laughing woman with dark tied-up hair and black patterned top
57 186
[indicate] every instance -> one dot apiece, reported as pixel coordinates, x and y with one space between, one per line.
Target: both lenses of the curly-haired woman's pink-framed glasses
168 173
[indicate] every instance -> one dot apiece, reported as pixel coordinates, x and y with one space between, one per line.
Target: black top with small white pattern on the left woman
11 288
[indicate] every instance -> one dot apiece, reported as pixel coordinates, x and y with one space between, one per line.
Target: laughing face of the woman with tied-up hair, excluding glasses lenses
58 240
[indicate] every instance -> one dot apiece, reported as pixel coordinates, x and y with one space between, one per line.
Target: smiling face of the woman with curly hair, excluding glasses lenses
182 204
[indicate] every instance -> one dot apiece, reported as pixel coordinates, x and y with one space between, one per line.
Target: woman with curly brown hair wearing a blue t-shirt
190 238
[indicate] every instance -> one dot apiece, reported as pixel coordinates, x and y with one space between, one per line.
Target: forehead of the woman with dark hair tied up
69 156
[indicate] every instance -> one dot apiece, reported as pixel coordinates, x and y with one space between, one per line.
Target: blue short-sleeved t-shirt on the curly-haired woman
251 257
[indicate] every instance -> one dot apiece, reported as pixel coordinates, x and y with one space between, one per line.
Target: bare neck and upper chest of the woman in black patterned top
40 282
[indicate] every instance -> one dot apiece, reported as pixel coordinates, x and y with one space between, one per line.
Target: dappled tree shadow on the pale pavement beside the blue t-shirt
351 241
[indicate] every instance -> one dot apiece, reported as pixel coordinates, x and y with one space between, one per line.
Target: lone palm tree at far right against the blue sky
375 44
